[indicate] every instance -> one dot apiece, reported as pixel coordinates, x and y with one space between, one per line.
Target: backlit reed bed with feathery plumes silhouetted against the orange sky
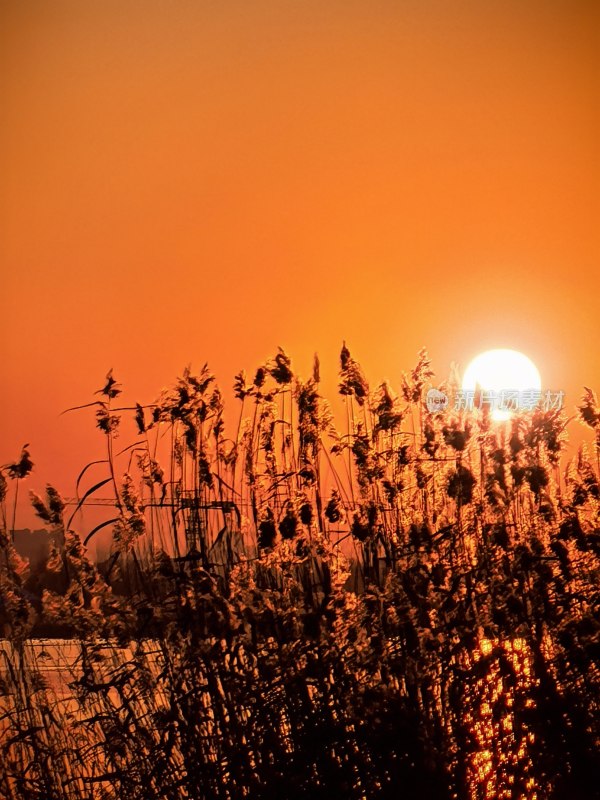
408 608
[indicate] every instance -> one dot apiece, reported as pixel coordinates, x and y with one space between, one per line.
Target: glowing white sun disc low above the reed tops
502 370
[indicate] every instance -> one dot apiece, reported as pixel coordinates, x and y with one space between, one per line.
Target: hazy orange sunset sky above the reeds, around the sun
192 181
